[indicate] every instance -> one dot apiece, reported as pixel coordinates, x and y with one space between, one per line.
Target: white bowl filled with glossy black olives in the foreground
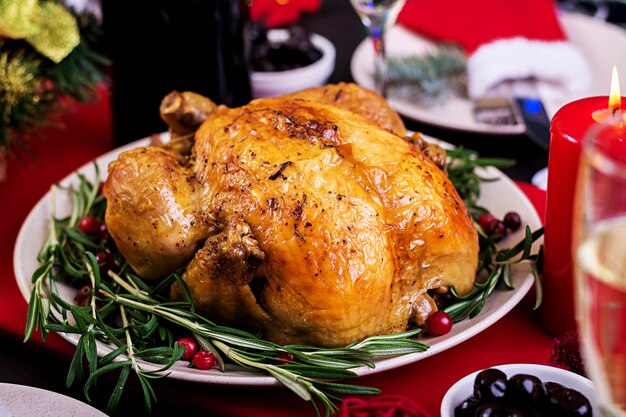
520 390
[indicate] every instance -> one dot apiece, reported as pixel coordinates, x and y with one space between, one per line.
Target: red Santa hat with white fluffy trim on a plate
503 39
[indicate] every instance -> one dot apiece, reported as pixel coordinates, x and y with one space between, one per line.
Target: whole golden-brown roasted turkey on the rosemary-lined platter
309 215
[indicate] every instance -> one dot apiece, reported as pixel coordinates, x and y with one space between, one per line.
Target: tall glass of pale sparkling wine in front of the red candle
600 254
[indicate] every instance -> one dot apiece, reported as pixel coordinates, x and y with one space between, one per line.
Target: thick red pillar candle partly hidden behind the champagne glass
568 128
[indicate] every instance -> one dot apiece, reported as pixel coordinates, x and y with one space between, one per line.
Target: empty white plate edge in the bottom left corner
24 401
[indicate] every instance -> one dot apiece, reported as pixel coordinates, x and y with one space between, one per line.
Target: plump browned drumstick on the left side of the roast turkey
153 210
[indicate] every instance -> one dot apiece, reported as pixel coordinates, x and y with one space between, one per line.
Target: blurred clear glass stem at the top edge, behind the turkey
377 16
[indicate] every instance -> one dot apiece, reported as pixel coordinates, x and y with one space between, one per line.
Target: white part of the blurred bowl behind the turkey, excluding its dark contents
275 83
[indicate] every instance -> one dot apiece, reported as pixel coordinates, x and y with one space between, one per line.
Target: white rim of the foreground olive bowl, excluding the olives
464 388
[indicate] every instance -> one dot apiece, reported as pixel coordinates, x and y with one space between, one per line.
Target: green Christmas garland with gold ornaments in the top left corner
45 54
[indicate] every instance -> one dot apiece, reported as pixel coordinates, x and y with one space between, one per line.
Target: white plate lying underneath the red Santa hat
600 42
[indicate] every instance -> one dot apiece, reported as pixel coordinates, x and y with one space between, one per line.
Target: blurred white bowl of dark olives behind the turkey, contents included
289 60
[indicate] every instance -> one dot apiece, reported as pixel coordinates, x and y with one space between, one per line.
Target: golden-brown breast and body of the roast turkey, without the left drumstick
355 223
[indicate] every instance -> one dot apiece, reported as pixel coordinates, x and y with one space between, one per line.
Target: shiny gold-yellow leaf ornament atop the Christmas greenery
47 26
